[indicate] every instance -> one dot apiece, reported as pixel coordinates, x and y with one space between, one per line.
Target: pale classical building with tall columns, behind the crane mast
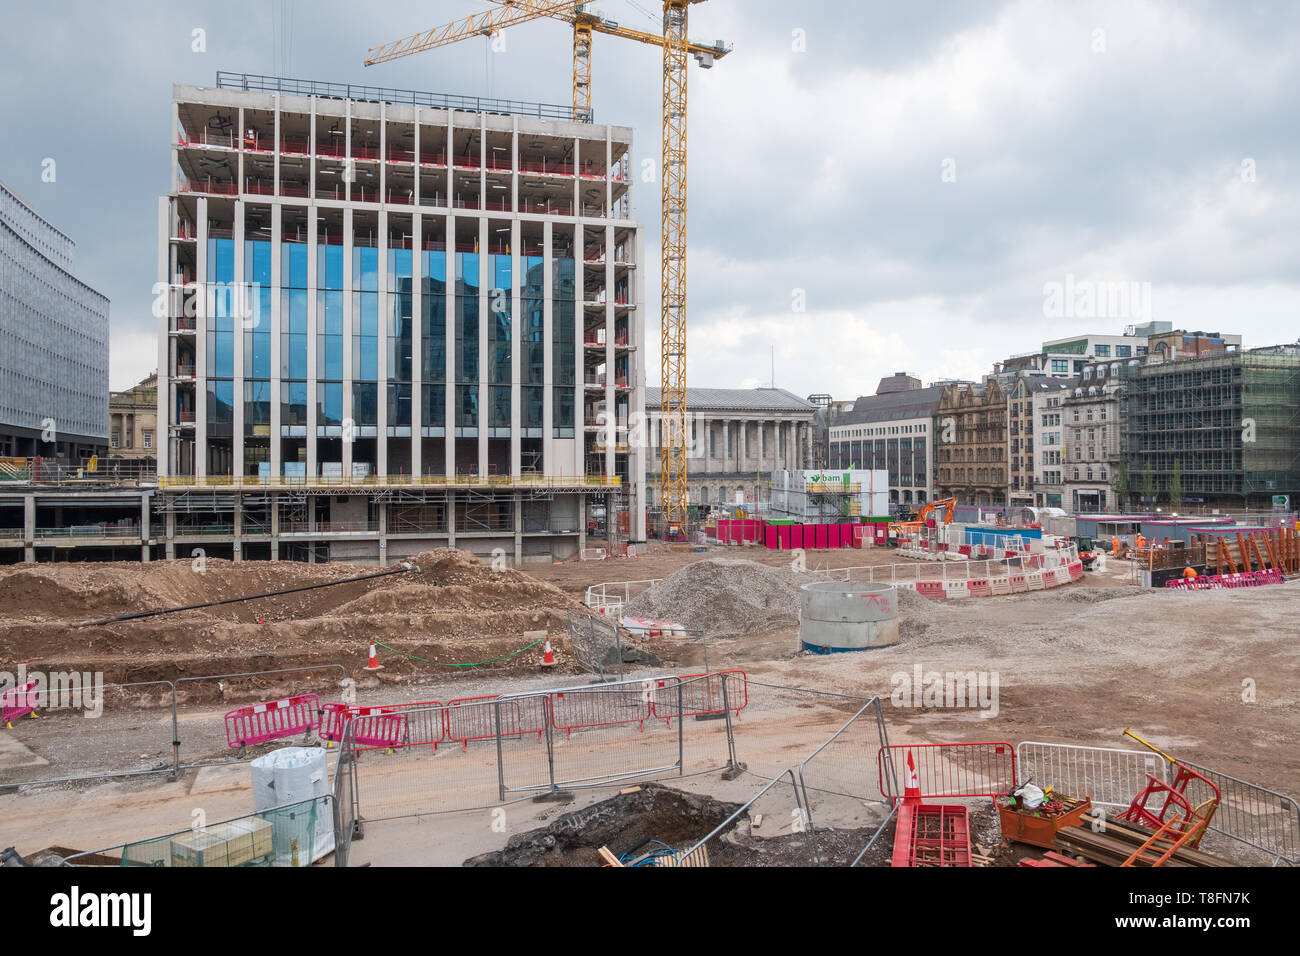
736 439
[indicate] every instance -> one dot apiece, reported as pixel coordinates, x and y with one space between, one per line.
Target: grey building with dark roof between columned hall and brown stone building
892 431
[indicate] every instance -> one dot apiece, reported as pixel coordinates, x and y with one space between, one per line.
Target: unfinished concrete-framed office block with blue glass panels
397 321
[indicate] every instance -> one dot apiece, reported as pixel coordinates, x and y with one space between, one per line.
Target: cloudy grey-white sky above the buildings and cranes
874 187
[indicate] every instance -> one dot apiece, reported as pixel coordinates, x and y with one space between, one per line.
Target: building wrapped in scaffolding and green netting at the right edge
1229 425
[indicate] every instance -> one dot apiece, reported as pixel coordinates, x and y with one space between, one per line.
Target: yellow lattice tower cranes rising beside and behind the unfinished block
677 49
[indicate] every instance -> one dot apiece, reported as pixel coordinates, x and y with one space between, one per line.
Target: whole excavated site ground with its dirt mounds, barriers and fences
692 715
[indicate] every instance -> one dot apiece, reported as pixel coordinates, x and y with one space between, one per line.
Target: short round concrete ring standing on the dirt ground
842 616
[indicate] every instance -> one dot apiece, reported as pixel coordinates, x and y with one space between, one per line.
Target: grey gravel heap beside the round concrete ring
725 598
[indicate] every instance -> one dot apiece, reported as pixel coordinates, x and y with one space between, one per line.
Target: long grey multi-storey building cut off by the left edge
54 344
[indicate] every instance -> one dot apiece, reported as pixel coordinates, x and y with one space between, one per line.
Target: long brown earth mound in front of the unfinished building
453 611
